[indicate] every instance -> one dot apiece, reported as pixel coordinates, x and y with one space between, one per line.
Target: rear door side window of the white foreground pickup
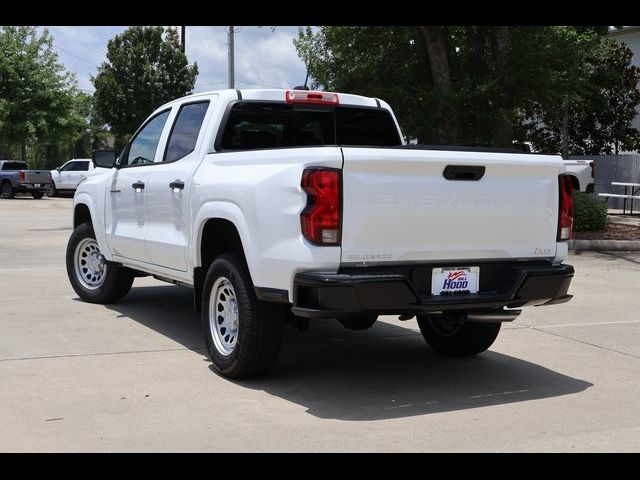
183 137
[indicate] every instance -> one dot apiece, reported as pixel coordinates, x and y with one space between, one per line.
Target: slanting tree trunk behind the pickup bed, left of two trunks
434 38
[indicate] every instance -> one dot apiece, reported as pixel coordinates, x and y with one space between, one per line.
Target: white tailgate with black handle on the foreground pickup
399 207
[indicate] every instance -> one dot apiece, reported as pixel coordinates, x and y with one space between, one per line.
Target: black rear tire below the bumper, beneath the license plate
460 339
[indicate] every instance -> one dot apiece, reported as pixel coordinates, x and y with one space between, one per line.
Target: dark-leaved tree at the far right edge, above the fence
599 117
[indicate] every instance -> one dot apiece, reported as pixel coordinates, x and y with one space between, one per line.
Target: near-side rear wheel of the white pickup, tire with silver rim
259 327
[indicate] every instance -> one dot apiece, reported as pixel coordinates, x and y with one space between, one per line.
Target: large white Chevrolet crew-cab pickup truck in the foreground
278 205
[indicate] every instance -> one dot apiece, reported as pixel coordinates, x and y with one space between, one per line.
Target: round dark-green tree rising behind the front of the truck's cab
144 69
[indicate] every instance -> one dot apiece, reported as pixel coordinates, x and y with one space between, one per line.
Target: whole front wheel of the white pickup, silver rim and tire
92 278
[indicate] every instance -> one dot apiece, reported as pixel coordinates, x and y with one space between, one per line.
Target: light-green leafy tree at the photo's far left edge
36 91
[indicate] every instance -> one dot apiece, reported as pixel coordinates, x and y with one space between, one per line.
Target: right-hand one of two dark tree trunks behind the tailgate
503 128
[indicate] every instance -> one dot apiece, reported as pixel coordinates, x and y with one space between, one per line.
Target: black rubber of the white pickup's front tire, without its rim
117 280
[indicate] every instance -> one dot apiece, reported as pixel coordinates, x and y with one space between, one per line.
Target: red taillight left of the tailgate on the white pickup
320 219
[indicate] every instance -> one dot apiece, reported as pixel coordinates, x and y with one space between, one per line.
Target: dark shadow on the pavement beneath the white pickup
385 372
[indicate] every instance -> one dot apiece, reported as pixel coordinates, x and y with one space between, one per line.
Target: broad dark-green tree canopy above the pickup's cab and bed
467 85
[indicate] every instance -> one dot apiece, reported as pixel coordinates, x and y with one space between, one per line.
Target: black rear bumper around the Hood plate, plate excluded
405 290
